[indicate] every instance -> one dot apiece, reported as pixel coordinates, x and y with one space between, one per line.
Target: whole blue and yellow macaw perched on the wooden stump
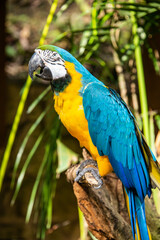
98 117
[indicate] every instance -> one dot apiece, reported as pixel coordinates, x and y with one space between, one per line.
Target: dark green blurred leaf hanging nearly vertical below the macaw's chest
48 187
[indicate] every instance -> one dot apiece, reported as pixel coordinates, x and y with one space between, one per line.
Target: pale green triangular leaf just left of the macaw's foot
65 156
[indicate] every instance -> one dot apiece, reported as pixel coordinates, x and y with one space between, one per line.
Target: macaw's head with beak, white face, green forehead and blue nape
51 62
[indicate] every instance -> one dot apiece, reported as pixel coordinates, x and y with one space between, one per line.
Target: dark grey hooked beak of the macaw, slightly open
35 63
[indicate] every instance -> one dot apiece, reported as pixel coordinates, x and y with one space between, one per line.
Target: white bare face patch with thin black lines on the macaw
54 62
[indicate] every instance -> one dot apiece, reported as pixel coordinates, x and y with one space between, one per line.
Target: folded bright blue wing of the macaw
114 132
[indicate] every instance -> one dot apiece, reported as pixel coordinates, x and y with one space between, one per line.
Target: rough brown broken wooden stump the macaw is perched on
104 209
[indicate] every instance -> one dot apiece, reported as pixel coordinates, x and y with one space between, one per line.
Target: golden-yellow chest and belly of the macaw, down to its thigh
69 106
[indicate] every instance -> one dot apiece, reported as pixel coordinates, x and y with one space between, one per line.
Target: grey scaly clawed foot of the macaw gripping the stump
83 169
